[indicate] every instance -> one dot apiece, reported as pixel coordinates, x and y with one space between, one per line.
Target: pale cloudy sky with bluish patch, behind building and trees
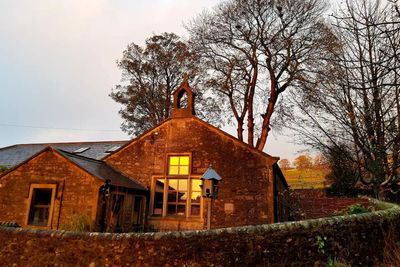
58 65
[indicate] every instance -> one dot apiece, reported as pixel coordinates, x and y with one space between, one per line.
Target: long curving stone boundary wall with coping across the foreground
356 239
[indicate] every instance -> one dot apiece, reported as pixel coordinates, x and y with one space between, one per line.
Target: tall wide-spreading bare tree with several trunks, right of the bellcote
254 50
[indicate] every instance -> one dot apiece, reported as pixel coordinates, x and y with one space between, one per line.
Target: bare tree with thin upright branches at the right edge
355 103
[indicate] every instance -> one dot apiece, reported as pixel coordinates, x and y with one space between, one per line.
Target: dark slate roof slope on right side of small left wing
103 171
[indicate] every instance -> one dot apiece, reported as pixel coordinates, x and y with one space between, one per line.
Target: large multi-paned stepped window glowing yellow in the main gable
178 193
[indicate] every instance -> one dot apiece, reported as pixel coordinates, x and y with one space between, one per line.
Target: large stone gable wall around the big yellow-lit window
246 192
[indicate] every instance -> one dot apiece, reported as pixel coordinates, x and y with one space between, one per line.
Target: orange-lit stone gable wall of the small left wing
76 191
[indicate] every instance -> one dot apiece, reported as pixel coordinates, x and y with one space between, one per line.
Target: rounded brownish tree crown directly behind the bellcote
149 76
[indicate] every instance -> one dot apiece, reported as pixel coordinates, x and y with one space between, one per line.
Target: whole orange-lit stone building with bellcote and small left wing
152 181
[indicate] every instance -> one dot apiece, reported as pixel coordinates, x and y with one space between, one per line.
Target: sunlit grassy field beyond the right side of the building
306 179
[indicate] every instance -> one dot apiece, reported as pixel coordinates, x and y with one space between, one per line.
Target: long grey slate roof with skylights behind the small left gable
13 155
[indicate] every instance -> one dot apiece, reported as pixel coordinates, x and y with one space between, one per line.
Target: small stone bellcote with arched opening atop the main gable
183 106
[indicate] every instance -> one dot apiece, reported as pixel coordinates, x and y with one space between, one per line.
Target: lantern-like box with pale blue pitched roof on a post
209 189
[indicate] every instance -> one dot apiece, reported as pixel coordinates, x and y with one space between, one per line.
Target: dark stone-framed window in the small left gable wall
41 203
